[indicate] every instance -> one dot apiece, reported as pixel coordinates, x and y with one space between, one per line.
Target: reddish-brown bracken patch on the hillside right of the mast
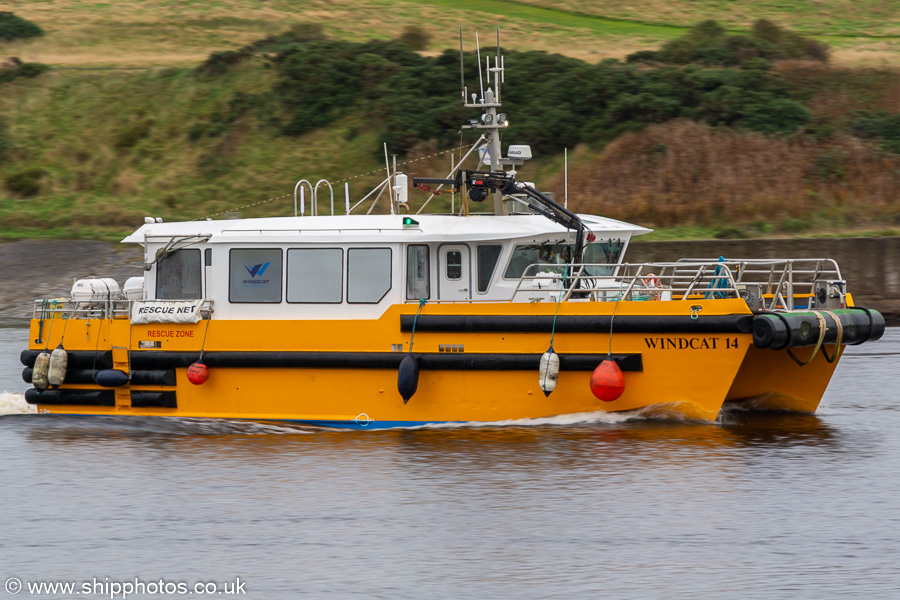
692 180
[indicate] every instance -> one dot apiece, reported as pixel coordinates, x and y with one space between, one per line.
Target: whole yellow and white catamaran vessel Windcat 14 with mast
372 321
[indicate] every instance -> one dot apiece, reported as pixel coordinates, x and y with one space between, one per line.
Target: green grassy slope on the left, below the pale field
108 148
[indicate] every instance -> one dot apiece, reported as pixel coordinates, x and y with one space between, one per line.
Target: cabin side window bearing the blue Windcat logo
254 275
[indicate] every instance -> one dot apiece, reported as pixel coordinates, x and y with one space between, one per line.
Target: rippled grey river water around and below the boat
591 506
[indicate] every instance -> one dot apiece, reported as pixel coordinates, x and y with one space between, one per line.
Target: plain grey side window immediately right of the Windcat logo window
315 275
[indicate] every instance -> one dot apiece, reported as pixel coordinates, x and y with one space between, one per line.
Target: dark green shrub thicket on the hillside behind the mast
320 81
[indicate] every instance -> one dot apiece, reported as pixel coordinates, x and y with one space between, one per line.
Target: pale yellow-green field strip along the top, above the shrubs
183 32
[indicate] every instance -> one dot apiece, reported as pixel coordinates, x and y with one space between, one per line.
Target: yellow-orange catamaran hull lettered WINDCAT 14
689 373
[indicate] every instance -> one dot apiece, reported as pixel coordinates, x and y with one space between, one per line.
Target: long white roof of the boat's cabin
384 228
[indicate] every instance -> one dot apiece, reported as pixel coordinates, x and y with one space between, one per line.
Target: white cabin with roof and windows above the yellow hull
349 267
